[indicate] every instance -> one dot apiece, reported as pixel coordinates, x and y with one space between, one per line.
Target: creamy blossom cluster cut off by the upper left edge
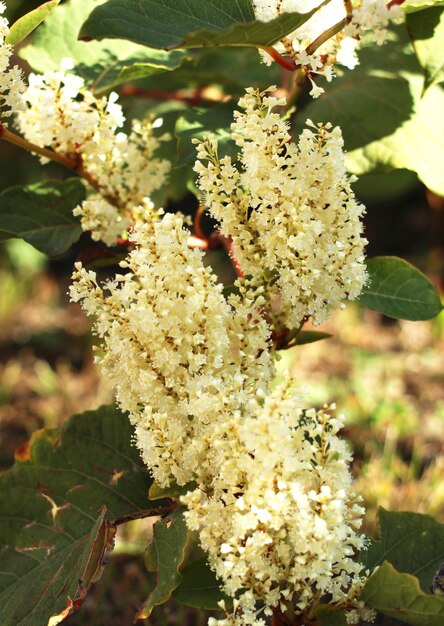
11 80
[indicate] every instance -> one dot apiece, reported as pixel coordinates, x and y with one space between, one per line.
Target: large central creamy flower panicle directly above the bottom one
180 356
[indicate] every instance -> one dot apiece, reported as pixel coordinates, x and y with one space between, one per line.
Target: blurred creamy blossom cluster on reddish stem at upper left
61 114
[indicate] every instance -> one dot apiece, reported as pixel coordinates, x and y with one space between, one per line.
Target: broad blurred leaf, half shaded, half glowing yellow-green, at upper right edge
386 119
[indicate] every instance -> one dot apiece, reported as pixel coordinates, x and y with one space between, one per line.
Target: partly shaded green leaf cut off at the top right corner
426 29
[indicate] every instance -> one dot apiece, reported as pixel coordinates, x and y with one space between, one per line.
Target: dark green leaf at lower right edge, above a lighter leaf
411 542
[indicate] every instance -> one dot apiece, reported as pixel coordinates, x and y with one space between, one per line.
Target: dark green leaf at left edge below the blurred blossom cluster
41 214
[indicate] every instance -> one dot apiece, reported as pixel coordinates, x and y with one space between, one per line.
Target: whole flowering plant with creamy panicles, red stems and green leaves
241 469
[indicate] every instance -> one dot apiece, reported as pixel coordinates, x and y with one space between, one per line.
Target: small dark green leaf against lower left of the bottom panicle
199 587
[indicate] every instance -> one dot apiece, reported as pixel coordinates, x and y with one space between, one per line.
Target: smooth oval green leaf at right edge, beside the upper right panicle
397 289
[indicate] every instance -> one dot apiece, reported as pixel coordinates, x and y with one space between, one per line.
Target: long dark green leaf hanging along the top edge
168 24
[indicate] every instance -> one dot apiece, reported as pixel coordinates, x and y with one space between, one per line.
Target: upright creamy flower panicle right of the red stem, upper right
289 209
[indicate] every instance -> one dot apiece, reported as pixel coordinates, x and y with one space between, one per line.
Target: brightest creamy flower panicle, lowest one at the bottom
279 520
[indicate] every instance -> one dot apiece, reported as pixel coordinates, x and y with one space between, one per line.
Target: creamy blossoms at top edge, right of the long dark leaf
364 15
